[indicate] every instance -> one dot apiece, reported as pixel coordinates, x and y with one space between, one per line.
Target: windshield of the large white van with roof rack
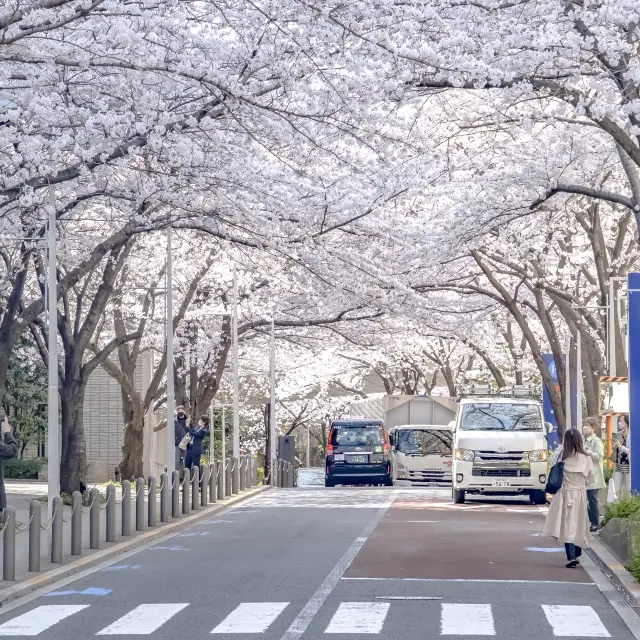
495 416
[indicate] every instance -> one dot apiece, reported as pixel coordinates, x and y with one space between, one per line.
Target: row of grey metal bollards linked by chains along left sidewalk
199 487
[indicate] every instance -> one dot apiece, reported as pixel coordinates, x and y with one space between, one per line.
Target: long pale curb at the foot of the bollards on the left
29 585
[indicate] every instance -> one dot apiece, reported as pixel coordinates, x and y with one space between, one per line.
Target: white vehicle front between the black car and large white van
421 455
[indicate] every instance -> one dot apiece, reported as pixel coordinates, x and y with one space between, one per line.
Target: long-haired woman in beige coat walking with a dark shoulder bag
567 520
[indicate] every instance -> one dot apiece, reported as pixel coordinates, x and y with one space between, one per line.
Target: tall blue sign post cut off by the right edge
633 319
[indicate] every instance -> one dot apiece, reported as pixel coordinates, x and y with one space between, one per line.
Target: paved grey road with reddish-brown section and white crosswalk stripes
315 563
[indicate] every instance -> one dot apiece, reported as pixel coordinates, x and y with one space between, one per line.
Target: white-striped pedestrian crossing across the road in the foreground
349 618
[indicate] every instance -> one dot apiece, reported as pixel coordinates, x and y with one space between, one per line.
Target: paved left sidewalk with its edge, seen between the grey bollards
19 496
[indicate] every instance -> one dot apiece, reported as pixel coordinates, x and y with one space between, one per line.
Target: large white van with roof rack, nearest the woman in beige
500 447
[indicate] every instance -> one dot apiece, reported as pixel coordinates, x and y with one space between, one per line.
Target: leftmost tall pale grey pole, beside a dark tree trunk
53 440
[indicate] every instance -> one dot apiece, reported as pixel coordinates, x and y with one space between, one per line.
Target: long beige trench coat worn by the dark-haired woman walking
567 519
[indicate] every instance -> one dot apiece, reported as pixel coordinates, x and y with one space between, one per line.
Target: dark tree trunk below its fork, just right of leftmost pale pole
73 458
